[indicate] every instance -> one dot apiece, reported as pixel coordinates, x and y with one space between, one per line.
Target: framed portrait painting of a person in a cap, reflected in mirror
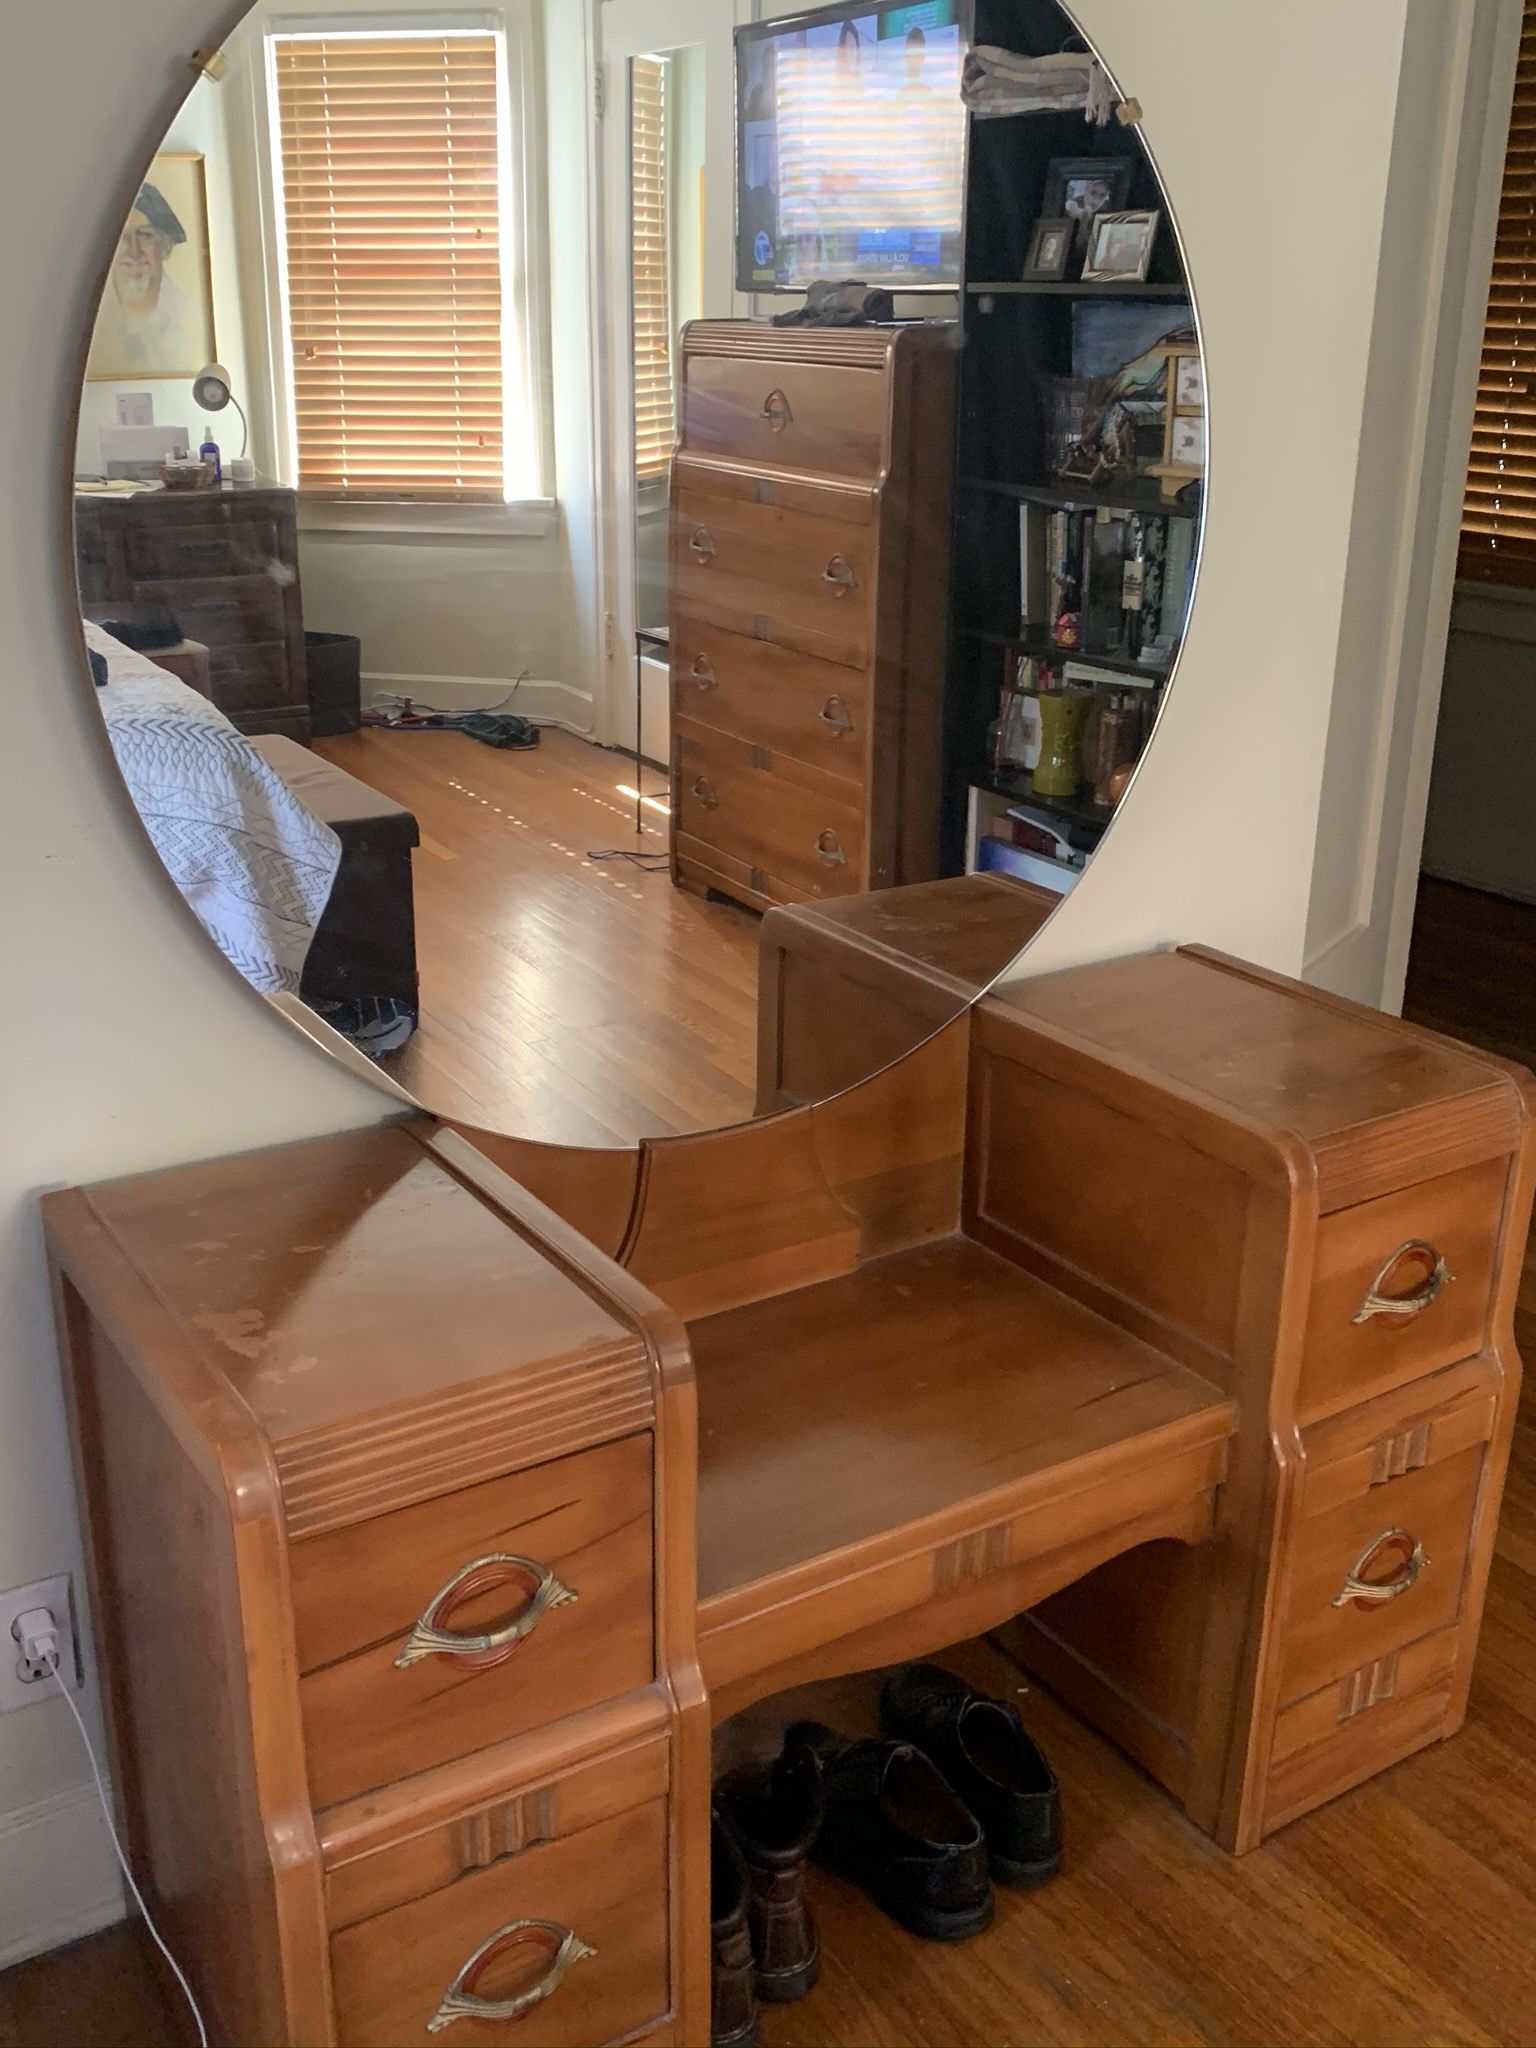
157 314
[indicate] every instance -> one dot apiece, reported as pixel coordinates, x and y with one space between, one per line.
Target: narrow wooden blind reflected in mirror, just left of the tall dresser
652 269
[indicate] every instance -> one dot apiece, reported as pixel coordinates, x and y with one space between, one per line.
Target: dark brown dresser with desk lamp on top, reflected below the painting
226 562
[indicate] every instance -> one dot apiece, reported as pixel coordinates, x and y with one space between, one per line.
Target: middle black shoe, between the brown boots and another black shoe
898 1832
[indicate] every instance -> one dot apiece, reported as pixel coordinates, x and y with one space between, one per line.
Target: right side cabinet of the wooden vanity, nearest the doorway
1330 1209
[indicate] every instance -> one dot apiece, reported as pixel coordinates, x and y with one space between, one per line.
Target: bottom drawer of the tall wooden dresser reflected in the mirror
767 812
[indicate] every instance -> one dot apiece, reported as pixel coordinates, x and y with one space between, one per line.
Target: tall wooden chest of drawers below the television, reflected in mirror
810 550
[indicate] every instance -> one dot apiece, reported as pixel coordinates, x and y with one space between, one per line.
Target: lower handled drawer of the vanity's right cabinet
1383 1531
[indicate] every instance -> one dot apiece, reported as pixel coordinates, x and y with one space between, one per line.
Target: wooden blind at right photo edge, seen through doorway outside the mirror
1500 509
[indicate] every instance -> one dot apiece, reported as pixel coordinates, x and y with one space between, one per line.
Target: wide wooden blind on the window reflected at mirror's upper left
394 263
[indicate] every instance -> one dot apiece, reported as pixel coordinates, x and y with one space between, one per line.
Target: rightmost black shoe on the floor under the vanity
984 1752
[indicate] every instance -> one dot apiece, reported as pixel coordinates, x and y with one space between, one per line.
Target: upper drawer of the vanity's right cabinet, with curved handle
1357 1345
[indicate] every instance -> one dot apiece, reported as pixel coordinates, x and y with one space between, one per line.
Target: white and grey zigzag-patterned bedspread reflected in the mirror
249 857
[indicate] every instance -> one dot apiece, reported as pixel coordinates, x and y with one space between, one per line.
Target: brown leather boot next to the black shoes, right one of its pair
775 1816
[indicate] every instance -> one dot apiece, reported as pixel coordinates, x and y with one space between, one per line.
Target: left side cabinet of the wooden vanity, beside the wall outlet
390 1498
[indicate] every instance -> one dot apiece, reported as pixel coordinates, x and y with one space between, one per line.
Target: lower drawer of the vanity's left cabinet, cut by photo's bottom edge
597 1949
